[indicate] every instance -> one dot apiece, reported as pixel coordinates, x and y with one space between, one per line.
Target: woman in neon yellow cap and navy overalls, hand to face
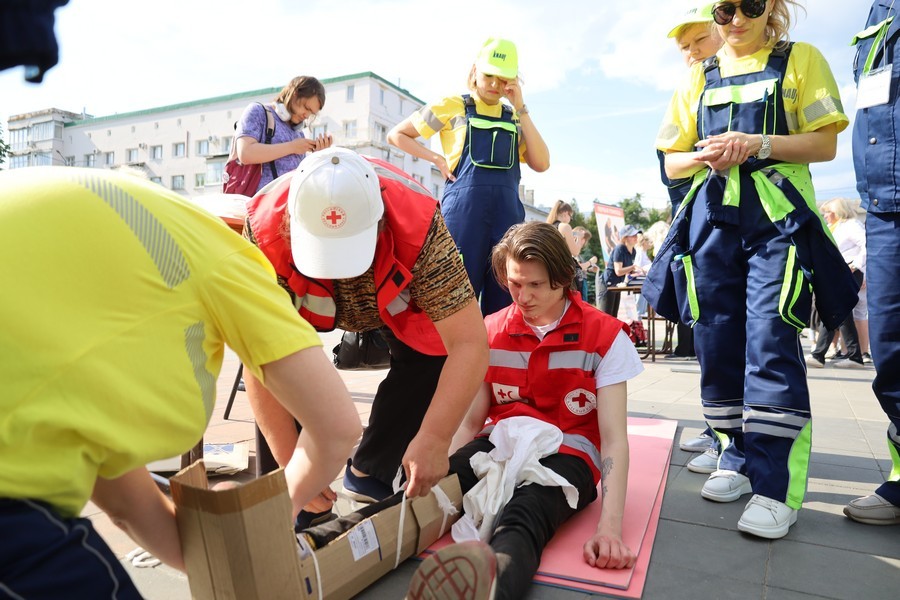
483 140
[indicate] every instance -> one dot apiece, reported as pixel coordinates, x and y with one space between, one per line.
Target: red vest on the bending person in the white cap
408 213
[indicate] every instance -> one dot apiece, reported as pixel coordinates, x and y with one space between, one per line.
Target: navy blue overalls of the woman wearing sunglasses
739 258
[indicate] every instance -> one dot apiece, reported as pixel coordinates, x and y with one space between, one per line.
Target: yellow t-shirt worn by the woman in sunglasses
810 96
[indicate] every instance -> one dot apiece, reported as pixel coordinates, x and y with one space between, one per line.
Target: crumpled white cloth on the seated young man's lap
520 443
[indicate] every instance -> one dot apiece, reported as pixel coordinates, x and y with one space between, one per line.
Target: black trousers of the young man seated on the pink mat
523 528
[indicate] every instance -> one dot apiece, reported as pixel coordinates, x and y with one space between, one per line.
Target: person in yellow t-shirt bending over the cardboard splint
119 297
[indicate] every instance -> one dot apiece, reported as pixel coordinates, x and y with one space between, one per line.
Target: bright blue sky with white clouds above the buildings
597 75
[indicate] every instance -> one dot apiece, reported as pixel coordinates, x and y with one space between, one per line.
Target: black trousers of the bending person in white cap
399 406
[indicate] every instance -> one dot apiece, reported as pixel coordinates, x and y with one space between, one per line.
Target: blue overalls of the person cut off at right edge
876 137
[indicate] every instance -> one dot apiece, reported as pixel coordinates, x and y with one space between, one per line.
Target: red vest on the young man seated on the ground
552 379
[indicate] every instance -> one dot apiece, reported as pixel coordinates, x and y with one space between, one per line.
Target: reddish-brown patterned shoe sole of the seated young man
464 571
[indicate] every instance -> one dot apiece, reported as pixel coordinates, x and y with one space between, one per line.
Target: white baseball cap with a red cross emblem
335 205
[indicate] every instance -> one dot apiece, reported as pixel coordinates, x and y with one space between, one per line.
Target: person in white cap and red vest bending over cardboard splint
360 246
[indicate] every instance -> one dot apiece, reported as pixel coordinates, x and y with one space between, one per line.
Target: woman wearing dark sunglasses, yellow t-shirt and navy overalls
747 246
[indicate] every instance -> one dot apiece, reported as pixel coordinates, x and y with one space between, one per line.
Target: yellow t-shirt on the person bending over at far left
118 298
